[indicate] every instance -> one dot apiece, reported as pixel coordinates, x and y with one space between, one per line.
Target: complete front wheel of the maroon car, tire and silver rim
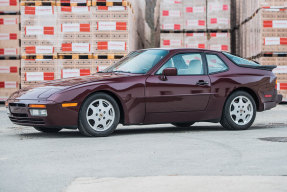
99 115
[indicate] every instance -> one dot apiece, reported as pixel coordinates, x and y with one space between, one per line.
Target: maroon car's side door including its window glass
188 91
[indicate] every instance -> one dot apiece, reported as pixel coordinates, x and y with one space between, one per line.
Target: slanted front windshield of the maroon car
139 62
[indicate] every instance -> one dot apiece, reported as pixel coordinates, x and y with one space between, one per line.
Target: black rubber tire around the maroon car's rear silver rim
227 119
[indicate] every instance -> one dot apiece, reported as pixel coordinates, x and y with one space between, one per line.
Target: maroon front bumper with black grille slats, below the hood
58 117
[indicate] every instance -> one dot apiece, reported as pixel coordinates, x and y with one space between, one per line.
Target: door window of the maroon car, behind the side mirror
186 64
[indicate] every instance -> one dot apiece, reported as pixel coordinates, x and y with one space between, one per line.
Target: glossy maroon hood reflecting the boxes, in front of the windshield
46 89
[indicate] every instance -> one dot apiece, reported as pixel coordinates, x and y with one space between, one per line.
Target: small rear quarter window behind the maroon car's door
215 64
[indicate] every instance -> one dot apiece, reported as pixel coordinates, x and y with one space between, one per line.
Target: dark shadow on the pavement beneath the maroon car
132 130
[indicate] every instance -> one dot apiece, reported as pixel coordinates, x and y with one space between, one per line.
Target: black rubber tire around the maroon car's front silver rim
84 126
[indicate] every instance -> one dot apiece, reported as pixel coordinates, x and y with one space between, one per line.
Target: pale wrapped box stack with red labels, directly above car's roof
196 24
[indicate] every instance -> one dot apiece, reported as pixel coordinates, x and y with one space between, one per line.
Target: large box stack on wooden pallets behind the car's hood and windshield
63 39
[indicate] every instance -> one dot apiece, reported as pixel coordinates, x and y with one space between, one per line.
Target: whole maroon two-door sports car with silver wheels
152 86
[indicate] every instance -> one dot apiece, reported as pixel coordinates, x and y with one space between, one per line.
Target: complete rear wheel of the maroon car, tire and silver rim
239 111
